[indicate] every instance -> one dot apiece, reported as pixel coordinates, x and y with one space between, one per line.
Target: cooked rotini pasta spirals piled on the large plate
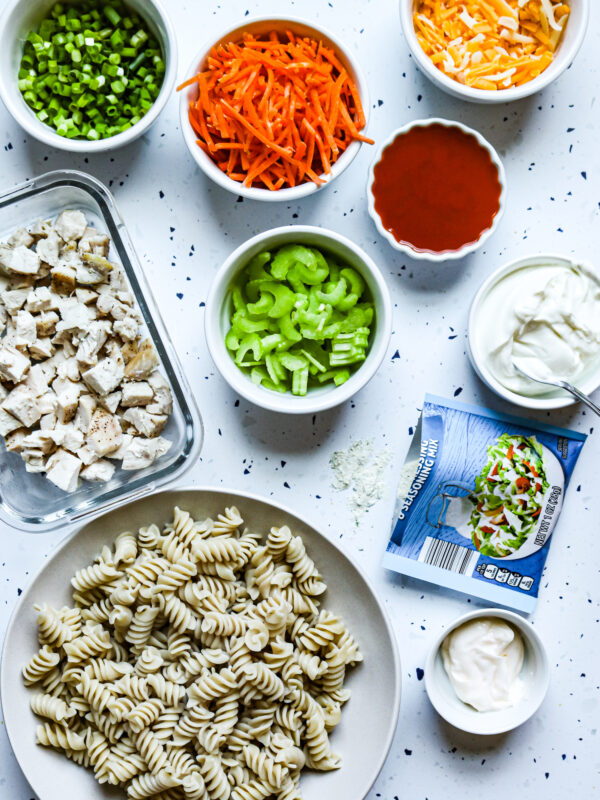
195 664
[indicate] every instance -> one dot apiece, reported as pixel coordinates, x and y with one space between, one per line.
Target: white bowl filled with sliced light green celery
298 319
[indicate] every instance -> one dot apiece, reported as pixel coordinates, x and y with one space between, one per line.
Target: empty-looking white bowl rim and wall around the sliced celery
287 403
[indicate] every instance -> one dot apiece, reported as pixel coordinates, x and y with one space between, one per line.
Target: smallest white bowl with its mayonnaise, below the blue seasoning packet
488 672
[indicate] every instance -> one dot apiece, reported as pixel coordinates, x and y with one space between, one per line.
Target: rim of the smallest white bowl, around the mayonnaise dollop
528 632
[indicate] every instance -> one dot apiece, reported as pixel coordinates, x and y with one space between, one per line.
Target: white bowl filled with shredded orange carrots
274 109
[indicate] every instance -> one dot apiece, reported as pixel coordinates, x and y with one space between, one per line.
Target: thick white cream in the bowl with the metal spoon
546 316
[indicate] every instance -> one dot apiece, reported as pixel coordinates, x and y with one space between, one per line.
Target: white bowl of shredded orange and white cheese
494 51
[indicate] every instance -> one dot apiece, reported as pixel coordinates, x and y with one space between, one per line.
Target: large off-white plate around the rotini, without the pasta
365 733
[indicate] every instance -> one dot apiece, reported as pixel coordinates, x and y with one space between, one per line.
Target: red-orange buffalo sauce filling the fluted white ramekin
436 188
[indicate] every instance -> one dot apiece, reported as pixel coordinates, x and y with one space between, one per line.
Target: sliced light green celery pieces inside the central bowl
299 319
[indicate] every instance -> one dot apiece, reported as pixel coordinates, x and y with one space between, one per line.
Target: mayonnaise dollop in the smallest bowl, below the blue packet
483 659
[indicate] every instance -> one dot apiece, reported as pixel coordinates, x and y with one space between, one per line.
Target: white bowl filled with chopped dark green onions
86 76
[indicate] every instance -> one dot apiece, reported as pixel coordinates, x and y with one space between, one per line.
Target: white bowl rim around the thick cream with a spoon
536 403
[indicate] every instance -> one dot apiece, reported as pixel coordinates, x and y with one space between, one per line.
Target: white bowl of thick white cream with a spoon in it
543 311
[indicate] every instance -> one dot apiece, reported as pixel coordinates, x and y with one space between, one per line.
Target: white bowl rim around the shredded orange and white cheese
457 89
